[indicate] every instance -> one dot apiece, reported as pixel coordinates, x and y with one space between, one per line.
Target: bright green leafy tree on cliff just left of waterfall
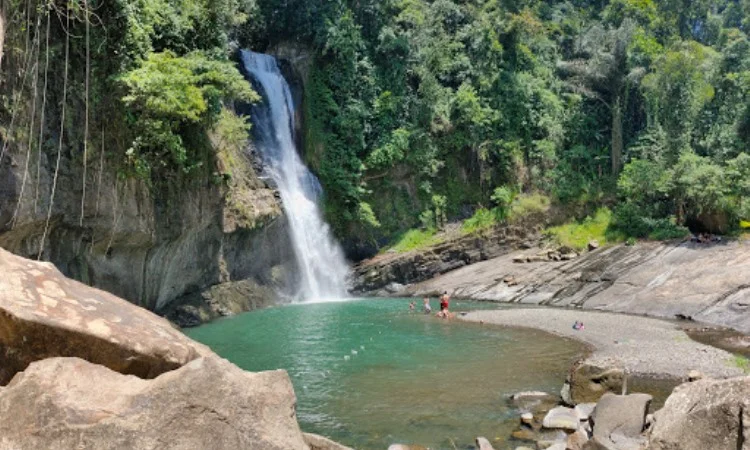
167 94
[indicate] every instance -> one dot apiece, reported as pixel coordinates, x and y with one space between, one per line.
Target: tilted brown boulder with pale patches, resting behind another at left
43 314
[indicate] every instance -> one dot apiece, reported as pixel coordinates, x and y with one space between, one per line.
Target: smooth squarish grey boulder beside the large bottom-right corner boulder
619 421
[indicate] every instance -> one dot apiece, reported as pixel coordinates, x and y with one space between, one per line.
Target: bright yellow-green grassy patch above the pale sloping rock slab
577 235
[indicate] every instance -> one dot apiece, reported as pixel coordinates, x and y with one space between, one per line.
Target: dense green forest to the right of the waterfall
427 110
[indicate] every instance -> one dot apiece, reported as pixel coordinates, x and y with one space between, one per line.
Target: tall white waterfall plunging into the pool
323 268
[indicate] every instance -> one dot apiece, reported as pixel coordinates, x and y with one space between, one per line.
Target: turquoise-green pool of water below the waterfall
370 373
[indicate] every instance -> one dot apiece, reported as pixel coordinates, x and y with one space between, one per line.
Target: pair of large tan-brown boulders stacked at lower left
81 368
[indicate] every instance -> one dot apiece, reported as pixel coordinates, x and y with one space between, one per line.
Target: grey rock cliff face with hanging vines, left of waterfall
148 247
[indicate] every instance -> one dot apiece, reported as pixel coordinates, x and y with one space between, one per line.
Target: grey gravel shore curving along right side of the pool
641 346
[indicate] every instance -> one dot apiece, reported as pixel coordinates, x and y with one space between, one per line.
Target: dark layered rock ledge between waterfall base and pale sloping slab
416 266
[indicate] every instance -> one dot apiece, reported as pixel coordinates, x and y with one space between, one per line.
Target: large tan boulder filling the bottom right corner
705 414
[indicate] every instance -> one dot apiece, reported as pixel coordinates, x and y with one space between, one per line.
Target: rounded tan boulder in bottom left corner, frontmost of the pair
68 403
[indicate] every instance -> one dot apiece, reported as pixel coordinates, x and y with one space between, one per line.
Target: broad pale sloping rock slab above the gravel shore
702 282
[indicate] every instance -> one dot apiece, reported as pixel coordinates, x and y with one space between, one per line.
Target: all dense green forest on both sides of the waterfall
416 112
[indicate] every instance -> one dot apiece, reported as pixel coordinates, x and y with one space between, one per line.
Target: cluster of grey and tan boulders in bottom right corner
700 414
